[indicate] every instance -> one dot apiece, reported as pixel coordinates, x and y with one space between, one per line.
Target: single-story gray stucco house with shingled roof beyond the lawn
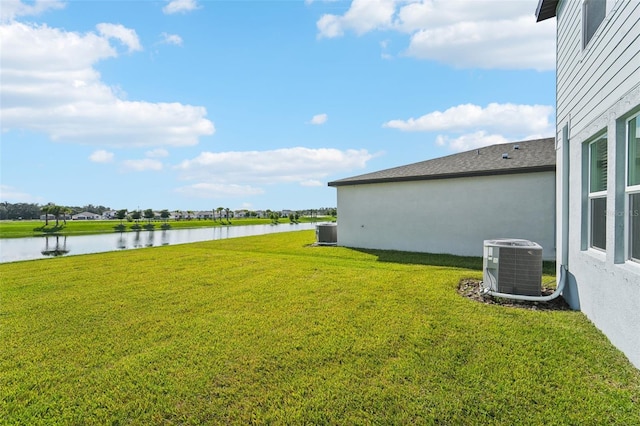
452 204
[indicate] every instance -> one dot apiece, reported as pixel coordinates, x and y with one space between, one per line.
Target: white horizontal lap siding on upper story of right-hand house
590 80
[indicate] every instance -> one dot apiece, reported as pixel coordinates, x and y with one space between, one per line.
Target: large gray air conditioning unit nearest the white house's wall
513 266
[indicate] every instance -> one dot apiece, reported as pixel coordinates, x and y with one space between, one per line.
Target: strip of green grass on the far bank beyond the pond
36 228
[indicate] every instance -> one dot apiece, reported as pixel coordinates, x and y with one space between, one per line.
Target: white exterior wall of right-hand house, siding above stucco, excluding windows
598 89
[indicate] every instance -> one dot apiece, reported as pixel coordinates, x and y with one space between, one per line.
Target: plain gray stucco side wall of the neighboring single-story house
450 216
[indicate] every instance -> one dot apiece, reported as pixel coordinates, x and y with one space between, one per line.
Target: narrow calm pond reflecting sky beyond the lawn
15 249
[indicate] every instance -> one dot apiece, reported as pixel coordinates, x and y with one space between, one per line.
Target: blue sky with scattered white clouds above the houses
199 104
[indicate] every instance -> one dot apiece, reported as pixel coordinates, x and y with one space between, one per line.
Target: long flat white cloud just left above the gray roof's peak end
276 166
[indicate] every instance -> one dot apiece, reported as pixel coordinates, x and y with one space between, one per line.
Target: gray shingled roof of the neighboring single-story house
531 156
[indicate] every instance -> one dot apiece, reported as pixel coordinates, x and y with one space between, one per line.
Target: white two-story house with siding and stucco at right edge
598 157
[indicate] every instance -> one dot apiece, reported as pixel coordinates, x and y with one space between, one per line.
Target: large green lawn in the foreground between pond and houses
269 330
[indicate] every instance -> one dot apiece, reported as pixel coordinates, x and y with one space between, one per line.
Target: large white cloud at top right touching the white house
499 34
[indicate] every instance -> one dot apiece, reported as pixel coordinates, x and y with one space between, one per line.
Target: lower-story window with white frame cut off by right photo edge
633 186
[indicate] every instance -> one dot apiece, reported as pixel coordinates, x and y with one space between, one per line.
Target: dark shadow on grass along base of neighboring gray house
435 259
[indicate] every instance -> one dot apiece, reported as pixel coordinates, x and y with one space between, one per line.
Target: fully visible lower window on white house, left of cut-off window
598 193
